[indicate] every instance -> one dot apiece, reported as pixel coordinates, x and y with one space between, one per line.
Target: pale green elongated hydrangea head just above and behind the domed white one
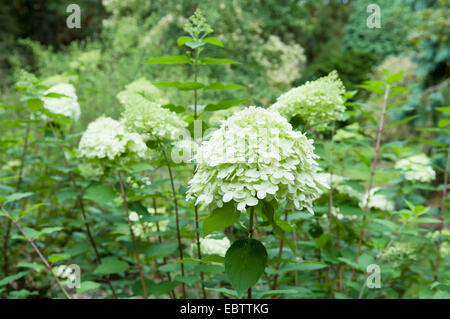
143 112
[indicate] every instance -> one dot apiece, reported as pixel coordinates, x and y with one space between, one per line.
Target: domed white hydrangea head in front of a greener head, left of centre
108 139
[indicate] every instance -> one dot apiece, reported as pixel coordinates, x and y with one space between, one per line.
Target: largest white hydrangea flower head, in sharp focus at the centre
256 155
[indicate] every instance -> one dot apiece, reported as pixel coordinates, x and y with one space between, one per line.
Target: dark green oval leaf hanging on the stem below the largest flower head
245 262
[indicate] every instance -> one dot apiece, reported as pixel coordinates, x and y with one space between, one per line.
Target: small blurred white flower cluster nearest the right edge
417 168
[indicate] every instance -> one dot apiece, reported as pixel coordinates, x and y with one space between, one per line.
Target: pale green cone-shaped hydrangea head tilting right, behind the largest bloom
316 102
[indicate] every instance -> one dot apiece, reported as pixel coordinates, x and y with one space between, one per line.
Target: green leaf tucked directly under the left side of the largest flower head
220 218
